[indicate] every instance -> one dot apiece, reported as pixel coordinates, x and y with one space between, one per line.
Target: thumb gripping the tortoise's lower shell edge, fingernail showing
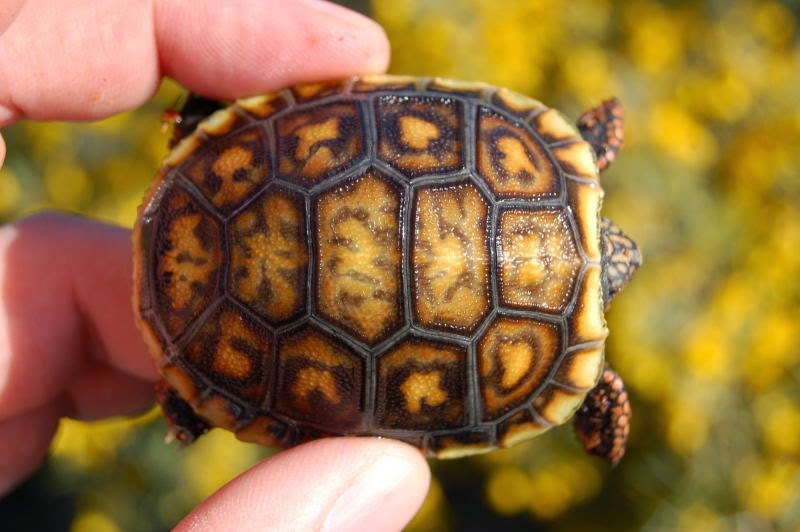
328 484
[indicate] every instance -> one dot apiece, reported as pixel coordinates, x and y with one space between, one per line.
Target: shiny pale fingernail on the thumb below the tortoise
363 506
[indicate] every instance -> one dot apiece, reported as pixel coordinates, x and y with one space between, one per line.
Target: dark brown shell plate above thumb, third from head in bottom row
319 381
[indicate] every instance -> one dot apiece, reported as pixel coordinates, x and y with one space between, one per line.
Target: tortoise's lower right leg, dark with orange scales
602 423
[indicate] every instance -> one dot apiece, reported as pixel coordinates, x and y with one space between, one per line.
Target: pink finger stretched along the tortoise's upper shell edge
86 59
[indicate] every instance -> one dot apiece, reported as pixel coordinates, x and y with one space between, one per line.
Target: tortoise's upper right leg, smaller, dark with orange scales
602 127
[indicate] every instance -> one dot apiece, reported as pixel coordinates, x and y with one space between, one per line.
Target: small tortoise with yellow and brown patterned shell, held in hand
414 258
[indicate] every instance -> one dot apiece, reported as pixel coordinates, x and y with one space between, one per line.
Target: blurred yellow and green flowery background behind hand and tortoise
706 336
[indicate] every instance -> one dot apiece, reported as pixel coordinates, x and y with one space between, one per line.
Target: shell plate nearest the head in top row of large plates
513 162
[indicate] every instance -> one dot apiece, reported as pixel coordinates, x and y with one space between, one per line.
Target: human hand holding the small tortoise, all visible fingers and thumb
68 344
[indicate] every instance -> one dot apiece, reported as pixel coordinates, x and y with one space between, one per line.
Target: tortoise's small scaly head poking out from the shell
621 258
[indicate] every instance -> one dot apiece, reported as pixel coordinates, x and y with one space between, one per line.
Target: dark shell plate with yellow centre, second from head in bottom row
422 385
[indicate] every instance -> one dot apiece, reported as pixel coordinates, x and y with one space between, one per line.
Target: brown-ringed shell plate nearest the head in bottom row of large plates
514 357
